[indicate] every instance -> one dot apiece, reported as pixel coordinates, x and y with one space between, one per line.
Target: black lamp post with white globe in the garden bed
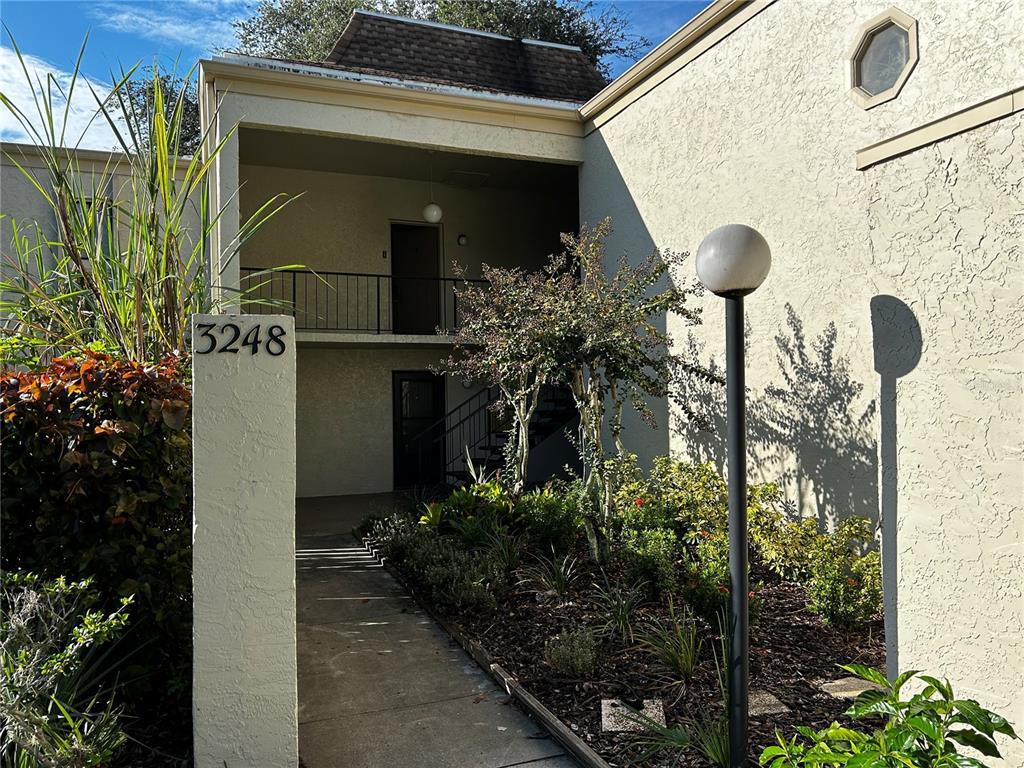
734 262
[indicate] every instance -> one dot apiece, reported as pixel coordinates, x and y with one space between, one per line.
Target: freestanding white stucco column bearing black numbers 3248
245 704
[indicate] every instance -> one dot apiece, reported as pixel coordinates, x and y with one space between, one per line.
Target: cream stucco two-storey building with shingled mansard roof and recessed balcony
879 150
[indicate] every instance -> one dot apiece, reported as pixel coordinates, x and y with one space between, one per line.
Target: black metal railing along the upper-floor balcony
355 302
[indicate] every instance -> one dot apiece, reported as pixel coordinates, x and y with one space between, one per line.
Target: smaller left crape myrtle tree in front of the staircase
501 342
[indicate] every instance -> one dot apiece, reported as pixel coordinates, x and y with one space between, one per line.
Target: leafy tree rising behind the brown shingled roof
308 30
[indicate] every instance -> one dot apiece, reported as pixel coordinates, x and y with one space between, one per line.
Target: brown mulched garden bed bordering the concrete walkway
793 651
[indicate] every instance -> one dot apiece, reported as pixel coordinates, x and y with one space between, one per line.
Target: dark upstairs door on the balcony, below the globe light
415 271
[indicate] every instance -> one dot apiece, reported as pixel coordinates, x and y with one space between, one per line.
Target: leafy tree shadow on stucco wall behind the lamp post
808 431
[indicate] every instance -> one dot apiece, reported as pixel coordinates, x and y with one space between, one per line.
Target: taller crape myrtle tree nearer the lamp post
607 347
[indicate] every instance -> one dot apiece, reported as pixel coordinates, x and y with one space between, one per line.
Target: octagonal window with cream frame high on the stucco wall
883 58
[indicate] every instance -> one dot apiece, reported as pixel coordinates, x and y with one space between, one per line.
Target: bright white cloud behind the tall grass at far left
83 127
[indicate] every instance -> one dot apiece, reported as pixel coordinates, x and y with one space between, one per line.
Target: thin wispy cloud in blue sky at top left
190 24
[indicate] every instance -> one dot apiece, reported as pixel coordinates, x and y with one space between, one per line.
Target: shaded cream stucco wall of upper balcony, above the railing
343 222
